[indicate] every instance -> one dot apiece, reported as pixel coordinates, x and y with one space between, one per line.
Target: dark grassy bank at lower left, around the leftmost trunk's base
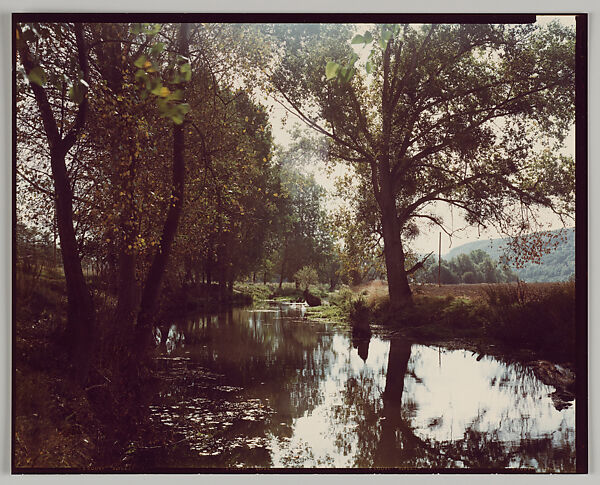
58 423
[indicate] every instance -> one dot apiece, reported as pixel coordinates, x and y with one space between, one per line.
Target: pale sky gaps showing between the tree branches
428 240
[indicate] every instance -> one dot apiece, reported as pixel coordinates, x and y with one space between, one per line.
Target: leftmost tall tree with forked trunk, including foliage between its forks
61 138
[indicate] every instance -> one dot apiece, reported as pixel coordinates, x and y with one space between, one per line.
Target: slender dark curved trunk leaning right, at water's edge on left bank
153 282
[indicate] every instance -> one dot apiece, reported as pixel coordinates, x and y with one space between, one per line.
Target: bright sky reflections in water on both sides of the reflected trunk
450 392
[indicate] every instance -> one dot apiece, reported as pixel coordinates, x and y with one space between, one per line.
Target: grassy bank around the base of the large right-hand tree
535 317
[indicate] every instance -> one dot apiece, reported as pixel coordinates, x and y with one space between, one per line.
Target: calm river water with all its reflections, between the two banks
269 388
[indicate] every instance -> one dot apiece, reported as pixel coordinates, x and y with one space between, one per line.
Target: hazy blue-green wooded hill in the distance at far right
558 265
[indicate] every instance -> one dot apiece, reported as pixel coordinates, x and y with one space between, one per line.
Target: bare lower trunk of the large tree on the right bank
398 287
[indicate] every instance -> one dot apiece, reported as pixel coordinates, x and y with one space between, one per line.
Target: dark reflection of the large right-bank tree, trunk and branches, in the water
383 435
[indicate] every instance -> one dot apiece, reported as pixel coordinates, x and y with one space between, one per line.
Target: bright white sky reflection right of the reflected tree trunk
457 392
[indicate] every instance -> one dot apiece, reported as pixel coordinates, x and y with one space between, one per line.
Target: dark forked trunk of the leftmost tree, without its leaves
80 305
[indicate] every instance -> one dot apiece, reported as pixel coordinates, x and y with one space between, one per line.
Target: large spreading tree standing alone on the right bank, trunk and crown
452 114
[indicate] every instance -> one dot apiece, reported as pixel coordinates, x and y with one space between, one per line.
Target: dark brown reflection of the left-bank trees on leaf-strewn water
276 363
